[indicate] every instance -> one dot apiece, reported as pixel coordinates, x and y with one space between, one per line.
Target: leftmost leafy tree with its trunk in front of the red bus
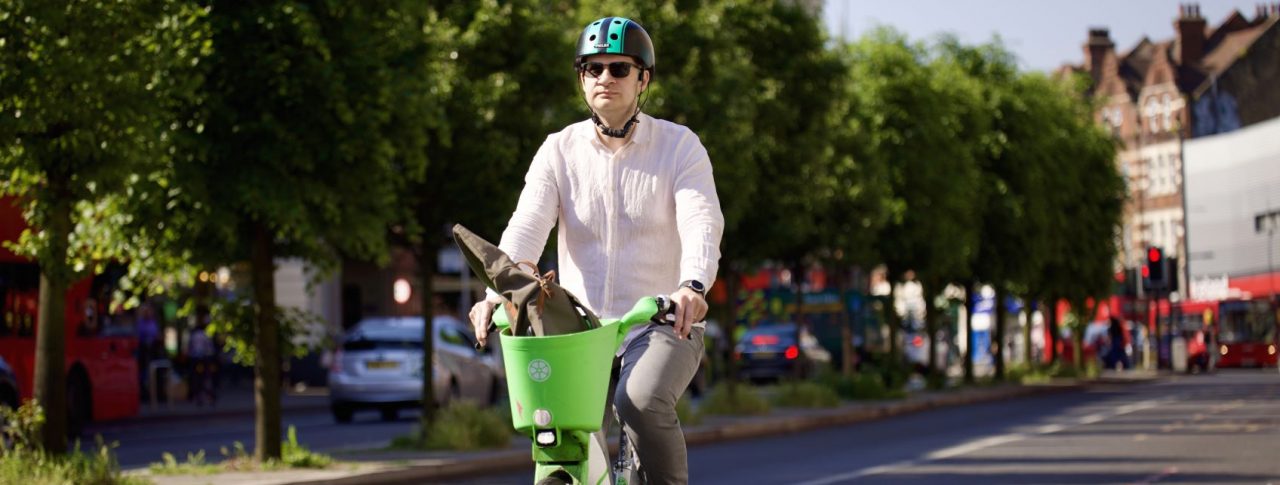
86 91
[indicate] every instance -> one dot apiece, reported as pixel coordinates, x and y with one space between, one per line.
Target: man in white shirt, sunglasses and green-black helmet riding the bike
636 205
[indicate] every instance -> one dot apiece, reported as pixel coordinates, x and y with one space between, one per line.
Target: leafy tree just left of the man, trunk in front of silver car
509 74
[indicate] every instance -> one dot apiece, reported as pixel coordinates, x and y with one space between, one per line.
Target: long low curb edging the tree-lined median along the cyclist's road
515 460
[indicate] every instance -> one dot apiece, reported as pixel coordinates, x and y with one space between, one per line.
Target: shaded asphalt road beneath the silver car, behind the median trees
145 442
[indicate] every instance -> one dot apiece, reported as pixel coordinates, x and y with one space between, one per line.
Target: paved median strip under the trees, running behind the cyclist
394 468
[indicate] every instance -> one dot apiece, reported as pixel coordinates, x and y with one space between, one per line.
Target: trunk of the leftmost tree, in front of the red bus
52 335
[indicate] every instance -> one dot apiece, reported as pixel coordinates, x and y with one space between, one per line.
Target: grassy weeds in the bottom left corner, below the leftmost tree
24 463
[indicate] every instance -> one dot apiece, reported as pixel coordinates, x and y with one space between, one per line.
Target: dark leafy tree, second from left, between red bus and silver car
312 116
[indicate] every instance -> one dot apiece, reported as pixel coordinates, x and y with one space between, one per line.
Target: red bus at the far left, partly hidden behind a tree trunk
102 367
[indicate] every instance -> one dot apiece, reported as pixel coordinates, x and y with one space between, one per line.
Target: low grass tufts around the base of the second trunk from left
292 456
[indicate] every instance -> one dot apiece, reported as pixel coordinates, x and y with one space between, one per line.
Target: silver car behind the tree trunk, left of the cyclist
380 365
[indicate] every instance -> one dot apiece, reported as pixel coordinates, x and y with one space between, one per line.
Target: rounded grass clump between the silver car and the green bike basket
461 427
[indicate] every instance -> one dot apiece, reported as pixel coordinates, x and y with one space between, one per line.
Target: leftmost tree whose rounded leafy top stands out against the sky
911 120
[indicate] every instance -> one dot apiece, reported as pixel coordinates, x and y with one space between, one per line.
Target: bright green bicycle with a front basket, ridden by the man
559 388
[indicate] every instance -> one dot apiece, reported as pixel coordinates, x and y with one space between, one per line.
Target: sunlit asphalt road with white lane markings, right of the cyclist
1213 429
